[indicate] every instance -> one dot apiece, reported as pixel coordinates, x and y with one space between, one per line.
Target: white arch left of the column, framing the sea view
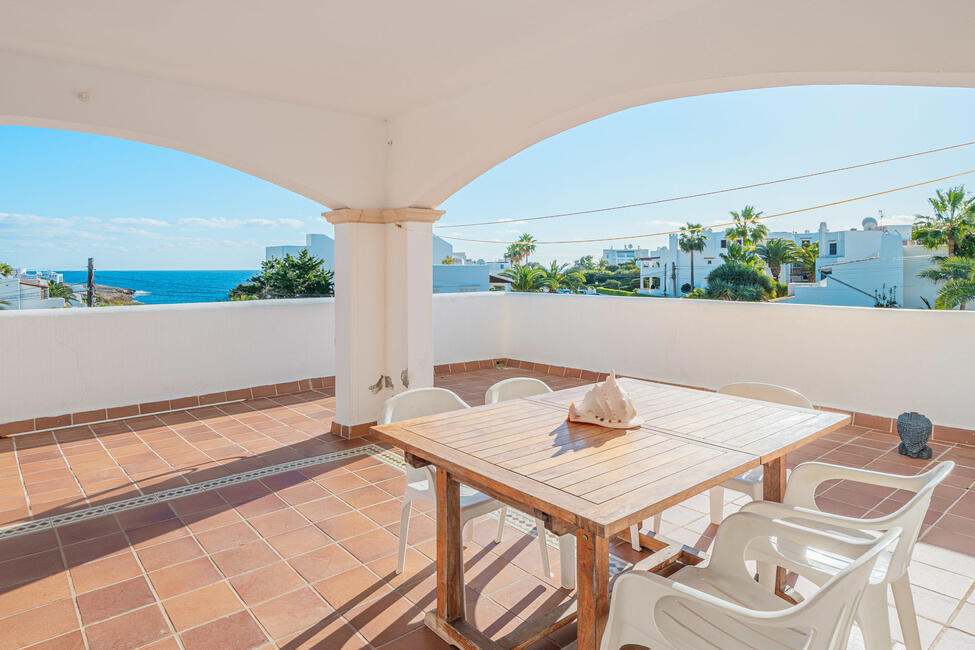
335 159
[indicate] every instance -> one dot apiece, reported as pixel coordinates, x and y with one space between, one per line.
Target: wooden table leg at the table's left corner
450 552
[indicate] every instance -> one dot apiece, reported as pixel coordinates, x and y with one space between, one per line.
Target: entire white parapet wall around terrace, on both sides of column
874 361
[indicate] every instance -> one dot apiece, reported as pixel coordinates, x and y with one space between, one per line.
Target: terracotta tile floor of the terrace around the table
306 558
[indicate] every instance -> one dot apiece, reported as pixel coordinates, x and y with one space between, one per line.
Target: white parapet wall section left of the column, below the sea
69 360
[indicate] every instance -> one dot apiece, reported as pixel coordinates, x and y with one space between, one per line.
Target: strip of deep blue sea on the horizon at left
167 287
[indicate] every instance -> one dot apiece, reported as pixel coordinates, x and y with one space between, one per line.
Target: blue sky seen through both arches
67 196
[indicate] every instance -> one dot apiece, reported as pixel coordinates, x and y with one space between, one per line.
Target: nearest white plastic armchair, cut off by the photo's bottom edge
721 606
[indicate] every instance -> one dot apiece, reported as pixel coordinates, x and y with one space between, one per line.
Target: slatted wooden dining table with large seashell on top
592 482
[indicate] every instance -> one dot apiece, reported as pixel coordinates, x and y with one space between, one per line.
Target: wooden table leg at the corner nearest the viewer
592 588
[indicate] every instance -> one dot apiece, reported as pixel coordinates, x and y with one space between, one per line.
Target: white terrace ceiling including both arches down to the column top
388 104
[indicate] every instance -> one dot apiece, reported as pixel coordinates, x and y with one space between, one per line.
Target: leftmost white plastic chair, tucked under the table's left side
421 482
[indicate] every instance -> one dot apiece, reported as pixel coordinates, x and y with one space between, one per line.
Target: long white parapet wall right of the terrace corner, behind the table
877 361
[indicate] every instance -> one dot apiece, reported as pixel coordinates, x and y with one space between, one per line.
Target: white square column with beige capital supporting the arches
383 309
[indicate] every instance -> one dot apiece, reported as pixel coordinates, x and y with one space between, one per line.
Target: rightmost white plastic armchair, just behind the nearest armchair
799 505
